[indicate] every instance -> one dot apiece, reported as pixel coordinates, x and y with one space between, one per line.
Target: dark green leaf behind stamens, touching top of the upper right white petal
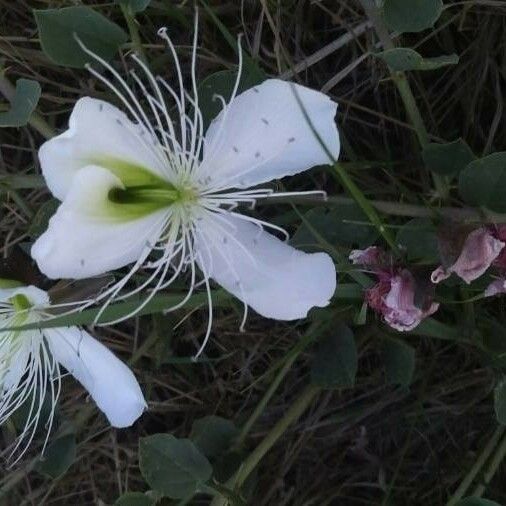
222 84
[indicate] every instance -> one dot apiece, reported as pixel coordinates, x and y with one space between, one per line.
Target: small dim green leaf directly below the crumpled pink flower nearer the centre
399 359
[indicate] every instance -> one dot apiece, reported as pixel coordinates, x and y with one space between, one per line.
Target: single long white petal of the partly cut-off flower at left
108 380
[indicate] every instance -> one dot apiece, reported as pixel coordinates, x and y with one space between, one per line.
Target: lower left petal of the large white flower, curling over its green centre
83 240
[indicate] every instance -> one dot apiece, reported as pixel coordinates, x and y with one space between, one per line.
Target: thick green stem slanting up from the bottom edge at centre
247 467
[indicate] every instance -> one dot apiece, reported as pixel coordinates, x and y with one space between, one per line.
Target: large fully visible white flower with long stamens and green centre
152 190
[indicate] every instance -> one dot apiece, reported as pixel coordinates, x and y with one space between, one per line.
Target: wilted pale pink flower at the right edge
481 248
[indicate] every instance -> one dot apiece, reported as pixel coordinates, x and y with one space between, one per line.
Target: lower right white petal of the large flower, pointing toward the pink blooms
276 280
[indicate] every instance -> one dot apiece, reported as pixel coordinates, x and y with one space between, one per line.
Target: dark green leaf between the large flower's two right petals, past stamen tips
344 224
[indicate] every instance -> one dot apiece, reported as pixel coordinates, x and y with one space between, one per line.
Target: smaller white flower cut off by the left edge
30 362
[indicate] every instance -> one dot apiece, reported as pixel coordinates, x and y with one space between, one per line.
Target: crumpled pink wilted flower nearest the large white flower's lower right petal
394 295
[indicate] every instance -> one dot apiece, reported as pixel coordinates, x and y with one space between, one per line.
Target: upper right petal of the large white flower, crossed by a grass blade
265 135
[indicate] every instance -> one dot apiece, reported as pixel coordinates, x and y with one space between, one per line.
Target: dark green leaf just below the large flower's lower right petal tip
335 362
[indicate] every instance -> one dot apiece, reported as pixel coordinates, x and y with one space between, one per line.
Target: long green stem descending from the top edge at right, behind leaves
401 82
